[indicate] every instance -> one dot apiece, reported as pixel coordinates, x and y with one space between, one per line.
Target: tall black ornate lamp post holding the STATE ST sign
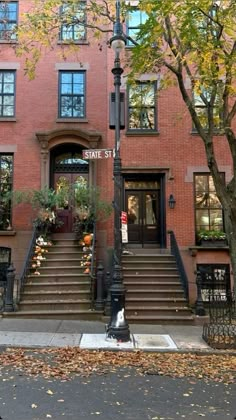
118 327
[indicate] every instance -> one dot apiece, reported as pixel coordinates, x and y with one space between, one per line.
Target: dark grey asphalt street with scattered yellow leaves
124 394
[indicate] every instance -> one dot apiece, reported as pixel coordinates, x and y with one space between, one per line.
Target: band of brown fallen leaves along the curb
75 361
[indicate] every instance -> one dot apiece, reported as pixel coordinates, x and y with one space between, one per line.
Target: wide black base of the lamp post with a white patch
118 327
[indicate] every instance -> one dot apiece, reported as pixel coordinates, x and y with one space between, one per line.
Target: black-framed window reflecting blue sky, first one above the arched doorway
71 94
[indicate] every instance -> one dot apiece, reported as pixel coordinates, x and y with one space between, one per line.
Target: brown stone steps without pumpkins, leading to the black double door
154 293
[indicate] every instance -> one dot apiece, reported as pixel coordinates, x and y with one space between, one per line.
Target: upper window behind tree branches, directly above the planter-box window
201 101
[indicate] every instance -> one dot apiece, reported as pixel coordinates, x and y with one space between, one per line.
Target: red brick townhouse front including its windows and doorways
65 110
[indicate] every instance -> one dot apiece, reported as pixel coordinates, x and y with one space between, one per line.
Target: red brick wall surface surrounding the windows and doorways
173 152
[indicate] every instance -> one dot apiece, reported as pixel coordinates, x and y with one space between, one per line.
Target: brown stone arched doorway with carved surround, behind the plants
67 144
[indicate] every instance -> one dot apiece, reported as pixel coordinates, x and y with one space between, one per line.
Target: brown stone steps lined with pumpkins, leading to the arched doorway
62 290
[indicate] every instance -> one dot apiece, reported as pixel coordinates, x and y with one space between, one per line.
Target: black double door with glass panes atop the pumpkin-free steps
143 216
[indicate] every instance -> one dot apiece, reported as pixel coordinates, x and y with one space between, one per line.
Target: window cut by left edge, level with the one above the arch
7 93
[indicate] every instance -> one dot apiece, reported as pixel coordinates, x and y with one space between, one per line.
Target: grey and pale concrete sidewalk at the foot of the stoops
91 335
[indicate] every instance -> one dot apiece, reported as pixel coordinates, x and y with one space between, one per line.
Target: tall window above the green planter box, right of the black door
208 211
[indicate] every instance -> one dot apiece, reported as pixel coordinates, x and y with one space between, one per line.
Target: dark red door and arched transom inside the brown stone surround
67 167
